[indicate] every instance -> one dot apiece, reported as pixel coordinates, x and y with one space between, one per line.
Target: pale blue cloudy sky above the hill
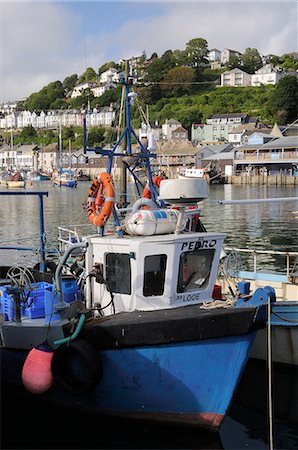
44 41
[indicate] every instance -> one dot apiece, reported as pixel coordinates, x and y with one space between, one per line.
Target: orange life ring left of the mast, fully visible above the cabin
98 210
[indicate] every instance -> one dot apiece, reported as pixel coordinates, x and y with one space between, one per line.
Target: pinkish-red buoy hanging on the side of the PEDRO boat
37 374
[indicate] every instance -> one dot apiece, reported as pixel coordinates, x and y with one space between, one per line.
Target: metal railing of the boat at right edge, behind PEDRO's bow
290 267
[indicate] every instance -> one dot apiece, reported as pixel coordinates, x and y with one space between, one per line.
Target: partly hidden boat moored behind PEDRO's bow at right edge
248 274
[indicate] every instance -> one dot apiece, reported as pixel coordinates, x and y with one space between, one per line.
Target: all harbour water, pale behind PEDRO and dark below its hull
26 422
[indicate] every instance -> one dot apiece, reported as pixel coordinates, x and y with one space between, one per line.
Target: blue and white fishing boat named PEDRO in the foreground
136 326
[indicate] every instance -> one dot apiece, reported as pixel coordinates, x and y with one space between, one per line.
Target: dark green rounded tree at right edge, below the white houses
283 102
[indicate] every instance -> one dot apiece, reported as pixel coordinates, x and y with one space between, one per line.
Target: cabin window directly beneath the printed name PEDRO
194 269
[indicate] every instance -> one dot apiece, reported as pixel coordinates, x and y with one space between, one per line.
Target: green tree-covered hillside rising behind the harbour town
181 84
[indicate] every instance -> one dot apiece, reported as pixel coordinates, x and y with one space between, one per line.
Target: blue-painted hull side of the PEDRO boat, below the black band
189 383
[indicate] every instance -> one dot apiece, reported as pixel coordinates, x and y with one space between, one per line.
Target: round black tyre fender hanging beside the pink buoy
77 367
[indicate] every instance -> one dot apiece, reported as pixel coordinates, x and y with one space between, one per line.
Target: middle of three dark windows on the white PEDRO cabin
154 275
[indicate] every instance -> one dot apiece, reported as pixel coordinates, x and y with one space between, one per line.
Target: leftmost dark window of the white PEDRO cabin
118 272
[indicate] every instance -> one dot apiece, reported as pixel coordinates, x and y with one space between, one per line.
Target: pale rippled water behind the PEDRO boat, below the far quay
270 225
